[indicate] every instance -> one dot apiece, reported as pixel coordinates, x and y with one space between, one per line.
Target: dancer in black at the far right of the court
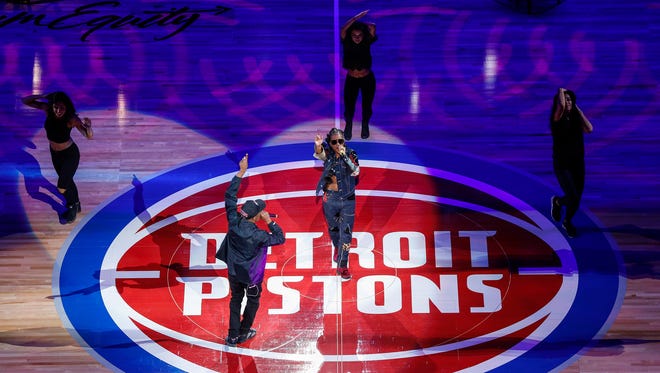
568 123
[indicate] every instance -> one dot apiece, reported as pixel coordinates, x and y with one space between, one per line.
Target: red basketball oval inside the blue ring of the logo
428 273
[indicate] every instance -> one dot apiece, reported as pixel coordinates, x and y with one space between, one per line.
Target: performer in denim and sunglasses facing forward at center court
337 185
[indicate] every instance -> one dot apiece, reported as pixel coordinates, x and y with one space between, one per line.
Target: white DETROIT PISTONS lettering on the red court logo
424 292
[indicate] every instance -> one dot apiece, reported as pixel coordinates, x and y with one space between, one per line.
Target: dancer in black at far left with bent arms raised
61 117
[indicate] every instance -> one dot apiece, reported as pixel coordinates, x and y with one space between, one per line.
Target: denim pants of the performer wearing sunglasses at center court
340 216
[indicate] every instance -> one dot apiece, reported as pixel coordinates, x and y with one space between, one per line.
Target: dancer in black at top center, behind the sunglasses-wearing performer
356 39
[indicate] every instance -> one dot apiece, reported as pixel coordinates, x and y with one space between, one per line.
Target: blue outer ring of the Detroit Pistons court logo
76 275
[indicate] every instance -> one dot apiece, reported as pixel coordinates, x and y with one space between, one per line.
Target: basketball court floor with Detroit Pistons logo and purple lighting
456 262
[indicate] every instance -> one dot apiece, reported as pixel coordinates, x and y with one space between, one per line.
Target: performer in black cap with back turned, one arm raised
244 250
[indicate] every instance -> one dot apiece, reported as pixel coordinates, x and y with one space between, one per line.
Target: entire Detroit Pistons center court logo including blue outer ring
456 267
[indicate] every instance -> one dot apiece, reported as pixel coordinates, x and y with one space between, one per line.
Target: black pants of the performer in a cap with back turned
238 290
